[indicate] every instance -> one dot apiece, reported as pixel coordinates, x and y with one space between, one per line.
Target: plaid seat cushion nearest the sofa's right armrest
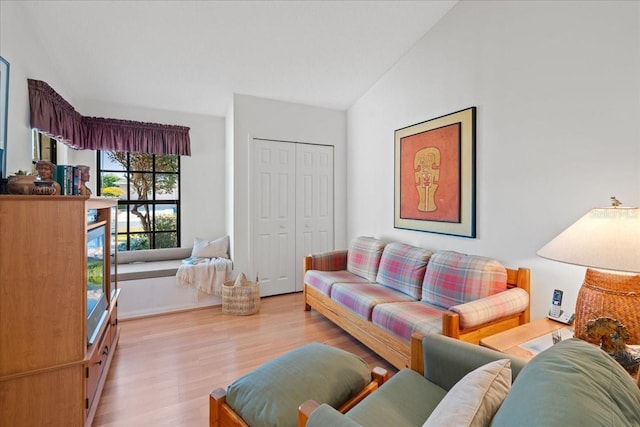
403 319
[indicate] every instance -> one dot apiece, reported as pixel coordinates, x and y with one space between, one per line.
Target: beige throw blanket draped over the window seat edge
205 274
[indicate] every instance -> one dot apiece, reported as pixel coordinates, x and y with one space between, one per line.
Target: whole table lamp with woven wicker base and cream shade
604 238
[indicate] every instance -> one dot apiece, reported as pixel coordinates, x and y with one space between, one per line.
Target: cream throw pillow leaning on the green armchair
474 400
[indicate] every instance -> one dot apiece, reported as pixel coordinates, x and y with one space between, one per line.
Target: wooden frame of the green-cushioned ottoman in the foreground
222 415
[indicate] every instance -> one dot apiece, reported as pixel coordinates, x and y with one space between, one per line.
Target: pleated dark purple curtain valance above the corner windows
52 115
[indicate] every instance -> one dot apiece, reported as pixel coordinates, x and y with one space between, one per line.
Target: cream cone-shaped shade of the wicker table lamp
607 238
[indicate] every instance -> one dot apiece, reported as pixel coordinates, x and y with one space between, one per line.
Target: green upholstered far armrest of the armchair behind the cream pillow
446 360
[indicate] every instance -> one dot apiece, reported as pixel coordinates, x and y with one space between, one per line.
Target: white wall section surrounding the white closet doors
268 119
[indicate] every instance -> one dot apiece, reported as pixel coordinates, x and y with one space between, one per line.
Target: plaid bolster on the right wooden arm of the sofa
493 307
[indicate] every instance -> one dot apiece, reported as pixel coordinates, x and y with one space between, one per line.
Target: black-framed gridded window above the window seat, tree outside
148 188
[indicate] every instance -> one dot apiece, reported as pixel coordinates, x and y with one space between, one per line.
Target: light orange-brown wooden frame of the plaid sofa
394 349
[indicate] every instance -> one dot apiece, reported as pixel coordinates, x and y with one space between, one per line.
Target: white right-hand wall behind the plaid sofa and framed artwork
557 86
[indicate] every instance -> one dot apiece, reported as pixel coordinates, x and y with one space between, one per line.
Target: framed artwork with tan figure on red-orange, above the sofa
435 175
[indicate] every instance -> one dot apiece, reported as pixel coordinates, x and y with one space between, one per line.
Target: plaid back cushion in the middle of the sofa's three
402 268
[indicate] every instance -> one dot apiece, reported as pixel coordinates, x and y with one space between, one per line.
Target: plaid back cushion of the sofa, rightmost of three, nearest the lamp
453 278
